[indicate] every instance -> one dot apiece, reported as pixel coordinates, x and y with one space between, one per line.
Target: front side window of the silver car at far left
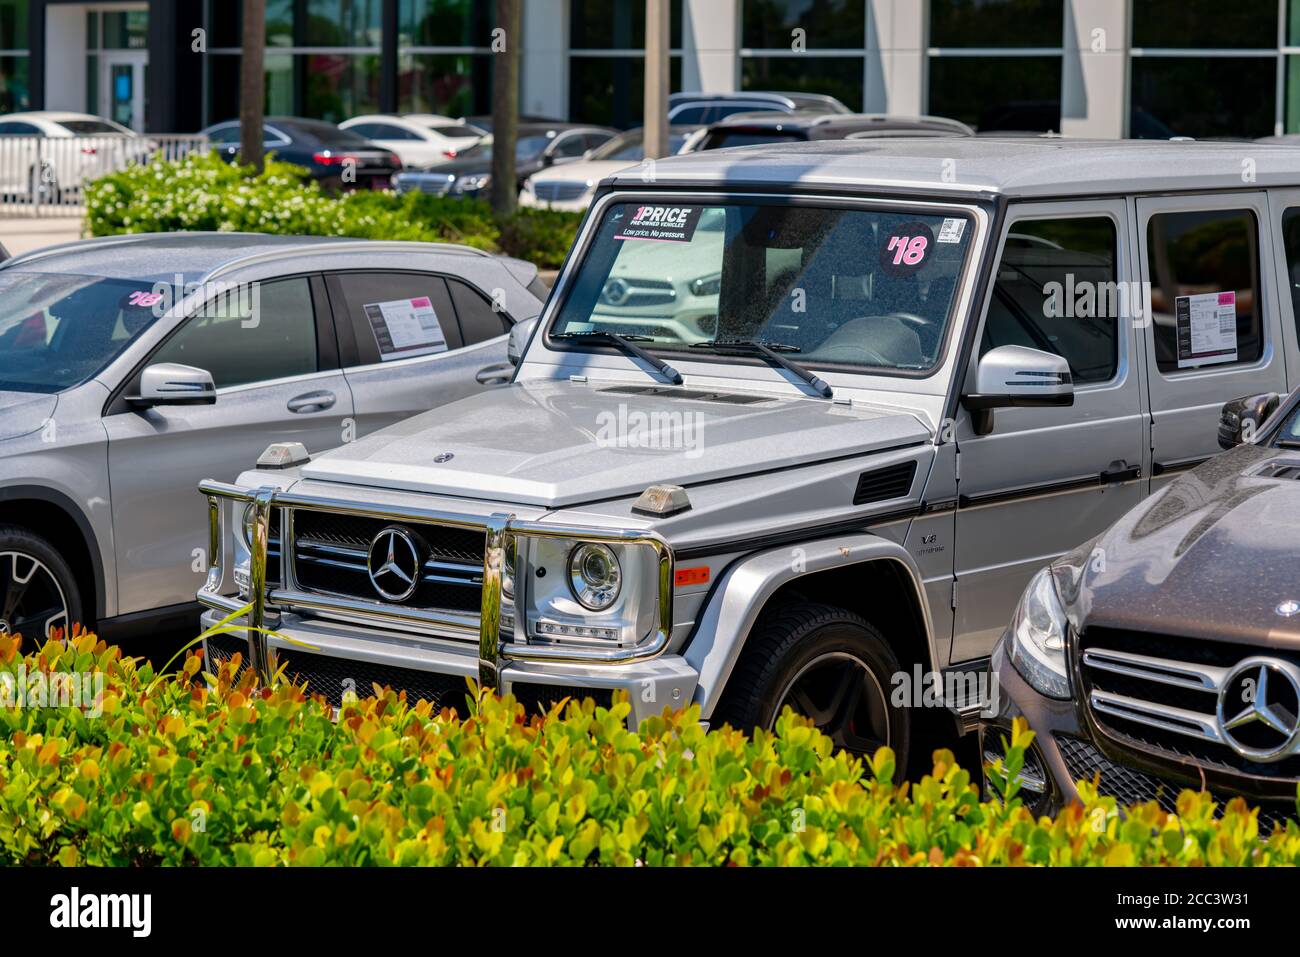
261 334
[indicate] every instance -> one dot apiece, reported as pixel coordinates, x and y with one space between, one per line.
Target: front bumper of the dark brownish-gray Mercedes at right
1065 752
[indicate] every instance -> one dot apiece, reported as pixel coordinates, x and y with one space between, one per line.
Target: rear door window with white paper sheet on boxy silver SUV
1204 271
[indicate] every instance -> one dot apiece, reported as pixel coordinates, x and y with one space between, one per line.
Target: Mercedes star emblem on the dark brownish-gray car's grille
1259 709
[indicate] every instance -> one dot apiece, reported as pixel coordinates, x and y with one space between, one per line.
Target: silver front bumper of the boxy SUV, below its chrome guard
333 659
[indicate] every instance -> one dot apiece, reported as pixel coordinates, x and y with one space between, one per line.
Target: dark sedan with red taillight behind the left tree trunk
337 159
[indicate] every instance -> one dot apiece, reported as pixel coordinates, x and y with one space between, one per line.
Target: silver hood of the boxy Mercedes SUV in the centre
561 444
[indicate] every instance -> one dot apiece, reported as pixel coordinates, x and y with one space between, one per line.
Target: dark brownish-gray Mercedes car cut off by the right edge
1165 655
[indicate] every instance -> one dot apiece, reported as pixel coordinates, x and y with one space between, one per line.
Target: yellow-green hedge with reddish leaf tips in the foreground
216 772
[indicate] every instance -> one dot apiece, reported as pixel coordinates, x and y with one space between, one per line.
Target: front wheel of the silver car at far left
38 590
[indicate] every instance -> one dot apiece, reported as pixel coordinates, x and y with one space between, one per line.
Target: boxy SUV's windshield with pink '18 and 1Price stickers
859 288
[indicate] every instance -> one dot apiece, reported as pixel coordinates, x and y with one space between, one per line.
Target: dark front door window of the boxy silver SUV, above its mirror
1058 292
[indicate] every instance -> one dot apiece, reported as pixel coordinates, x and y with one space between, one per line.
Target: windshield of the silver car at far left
59 331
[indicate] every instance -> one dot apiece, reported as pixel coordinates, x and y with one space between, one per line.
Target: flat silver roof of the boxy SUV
1020 168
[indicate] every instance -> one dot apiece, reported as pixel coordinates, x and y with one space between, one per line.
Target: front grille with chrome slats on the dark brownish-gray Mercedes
1163 694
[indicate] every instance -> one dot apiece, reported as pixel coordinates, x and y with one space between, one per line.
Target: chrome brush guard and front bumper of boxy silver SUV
445 647
